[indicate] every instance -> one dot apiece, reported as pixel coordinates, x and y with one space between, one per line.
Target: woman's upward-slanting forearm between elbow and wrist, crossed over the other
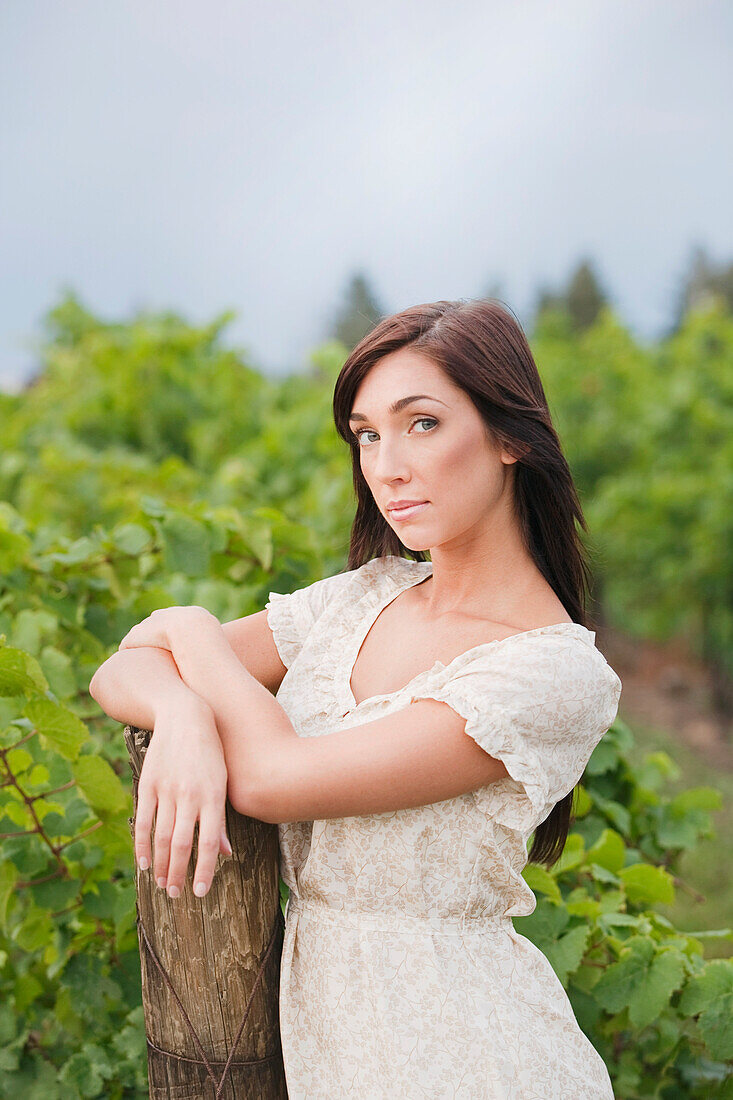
257 735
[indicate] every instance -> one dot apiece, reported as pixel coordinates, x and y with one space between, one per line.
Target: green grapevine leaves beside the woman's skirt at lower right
642 989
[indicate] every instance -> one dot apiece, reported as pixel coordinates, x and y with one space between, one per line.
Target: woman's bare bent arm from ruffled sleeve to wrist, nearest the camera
411 758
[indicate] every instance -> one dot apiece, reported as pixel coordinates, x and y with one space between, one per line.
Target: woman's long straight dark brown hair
483 349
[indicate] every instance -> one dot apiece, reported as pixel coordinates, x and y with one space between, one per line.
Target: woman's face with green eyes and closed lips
435 449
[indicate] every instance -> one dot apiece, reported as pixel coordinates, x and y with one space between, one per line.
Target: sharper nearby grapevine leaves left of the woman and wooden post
70 966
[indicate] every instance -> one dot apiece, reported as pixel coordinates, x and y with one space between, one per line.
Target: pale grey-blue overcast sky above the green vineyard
203 157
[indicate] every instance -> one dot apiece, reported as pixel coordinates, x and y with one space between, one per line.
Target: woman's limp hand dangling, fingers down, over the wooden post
183 780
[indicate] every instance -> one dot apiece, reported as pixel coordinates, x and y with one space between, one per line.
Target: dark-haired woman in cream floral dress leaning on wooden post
402 839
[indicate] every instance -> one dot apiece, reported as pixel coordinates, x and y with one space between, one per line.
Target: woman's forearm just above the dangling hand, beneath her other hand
134 685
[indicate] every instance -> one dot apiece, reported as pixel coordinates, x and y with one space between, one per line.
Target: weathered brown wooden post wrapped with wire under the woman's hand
211 969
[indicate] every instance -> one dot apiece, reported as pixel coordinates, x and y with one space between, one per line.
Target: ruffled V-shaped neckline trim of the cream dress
393 585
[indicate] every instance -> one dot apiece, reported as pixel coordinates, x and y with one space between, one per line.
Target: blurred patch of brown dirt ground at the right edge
666 687
